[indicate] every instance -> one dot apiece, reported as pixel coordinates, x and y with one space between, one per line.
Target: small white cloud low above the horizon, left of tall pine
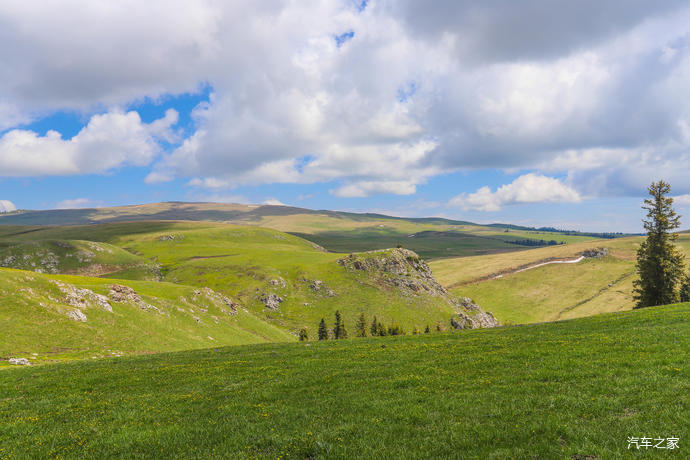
529 188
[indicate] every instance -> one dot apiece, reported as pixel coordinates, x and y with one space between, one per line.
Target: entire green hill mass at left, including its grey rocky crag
280 284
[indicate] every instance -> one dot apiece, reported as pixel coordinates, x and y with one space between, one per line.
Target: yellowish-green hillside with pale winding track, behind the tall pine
550 292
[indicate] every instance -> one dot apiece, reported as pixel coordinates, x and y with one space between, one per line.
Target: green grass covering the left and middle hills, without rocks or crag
245 263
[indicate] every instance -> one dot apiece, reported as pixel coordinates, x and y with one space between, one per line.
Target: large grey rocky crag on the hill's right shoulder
405 271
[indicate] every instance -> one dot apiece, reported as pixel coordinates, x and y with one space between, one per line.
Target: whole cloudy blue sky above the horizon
540 112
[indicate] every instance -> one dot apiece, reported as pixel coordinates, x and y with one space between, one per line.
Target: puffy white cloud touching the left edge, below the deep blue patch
108 141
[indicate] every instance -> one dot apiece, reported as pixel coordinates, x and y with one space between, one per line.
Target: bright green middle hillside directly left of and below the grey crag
251 262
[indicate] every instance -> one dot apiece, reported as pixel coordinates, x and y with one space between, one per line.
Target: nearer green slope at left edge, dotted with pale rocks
39 318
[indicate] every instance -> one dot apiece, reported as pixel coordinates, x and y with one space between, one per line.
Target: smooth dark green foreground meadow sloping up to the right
561 390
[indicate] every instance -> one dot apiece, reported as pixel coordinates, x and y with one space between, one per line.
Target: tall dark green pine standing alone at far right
659 262
